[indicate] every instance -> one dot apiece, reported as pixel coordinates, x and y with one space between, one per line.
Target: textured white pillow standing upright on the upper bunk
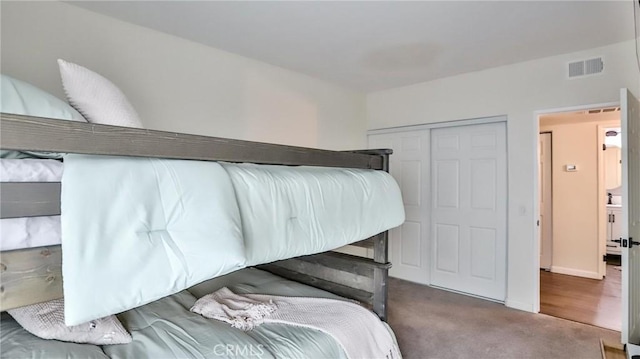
96 98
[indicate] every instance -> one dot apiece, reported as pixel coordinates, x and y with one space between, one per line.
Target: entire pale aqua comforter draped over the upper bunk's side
137 229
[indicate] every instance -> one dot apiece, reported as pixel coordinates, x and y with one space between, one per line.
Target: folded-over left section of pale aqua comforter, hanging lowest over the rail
137 229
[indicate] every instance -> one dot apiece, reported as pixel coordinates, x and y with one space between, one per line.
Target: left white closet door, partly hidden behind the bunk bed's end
408 244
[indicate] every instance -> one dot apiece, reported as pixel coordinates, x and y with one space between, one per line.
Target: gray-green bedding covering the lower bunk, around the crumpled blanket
167 329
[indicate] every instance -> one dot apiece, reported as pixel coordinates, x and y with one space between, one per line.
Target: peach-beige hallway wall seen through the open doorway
578 222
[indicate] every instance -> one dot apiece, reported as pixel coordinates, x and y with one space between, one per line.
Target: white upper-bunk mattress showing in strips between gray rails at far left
27 232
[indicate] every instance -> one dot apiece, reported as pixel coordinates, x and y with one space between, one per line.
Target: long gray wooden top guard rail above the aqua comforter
28 133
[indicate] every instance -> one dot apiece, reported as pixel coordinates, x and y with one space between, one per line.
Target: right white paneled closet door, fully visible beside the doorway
468 209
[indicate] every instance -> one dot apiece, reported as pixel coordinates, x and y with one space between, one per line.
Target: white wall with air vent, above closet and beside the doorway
517 91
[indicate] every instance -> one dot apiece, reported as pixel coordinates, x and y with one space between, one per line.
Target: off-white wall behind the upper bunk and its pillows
178 85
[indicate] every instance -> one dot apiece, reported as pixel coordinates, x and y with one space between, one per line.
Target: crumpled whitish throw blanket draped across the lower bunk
360 333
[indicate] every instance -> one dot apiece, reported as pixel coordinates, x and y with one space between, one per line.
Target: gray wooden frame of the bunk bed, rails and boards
34 275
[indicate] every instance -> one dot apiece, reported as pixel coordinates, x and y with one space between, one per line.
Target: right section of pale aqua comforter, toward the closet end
292 211
